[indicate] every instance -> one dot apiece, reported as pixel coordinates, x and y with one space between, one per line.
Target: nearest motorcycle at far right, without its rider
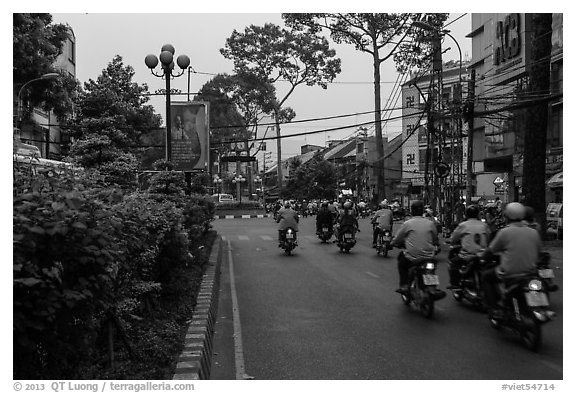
526 308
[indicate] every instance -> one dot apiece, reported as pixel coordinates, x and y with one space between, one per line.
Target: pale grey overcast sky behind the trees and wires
102 35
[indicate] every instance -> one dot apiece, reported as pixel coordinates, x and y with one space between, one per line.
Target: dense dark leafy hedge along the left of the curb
91 266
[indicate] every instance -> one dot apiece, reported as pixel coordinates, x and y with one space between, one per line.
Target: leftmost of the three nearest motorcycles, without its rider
423 287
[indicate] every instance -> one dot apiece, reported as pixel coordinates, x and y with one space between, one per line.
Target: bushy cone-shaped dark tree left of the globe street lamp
112 115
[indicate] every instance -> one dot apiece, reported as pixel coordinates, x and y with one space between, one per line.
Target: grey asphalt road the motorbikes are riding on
320 314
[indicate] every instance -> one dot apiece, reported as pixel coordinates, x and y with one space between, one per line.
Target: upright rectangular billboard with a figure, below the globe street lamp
190 137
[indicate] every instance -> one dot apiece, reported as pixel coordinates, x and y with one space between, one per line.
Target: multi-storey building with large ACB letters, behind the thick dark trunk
501 58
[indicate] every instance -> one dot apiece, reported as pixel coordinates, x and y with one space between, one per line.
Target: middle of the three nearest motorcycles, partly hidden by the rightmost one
469 284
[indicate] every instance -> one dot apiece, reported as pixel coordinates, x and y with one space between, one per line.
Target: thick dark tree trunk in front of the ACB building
538 68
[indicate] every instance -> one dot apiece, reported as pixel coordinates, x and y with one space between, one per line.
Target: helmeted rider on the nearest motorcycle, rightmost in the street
519 247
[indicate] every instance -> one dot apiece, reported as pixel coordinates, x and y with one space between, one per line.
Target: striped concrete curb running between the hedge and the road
196 357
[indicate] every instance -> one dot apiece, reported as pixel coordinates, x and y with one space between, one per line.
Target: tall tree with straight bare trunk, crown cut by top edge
379 35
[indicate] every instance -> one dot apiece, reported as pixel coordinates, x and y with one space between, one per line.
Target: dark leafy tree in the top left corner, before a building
36 45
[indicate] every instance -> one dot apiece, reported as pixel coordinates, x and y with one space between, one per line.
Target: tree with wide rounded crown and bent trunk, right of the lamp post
273 54
